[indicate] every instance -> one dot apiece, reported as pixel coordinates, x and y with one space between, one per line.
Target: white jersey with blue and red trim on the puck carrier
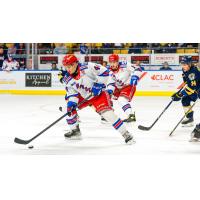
88 74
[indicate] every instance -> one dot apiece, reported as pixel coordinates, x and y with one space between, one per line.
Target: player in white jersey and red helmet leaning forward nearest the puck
81 81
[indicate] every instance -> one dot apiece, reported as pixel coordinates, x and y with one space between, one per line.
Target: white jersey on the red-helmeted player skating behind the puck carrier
122 76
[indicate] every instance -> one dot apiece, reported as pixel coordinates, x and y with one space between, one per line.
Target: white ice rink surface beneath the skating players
24 116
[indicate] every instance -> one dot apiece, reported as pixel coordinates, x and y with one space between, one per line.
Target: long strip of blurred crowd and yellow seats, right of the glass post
119 48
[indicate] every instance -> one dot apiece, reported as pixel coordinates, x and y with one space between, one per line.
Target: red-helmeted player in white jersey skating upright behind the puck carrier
122 84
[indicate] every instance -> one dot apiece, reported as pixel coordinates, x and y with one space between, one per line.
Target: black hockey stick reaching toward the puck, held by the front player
20 141
